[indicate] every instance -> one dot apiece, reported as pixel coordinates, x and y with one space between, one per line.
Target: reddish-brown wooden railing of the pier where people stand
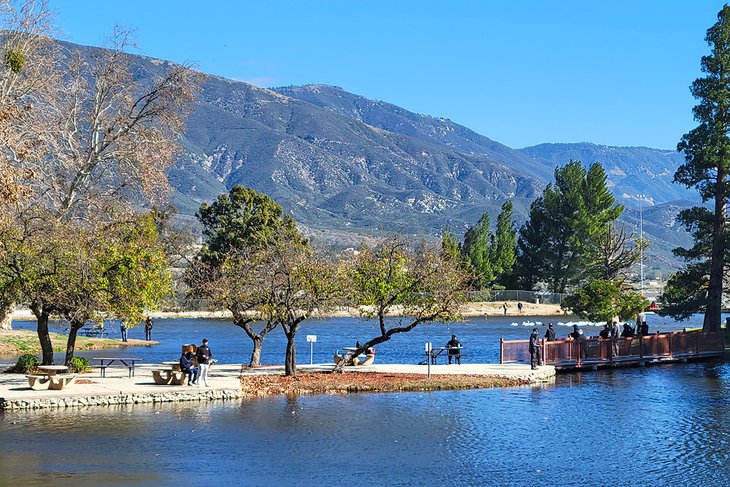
596 351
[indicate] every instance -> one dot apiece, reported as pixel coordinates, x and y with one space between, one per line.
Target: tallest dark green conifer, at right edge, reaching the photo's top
707 155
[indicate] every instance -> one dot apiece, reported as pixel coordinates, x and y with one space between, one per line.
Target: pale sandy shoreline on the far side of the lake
469 310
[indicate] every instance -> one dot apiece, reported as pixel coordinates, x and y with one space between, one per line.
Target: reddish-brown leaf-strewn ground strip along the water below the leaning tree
329 383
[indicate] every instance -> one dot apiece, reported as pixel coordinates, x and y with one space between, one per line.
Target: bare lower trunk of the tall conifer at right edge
714 292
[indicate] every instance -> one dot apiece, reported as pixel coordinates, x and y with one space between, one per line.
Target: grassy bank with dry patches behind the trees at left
18 342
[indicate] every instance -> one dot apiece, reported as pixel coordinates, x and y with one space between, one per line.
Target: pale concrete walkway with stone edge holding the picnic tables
118 388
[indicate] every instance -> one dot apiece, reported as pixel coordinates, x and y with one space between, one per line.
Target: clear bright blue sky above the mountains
519 72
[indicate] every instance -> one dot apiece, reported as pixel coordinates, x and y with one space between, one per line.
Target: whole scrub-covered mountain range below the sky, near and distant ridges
347 167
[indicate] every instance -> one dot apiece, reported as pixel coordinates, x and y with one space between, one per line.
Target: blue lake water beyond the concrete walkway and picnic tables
480 337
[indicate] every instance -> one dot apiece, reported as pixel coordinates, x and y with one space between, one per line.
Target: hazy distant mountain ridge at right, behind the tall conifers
632 171
